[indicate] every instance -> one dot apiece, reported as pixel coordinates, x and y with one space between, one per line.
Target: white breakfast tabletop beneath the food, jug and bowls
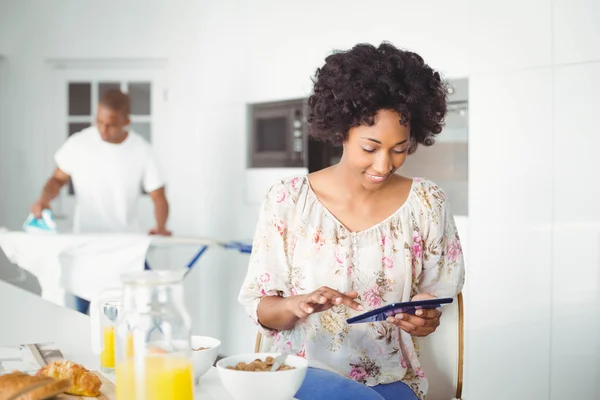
27 318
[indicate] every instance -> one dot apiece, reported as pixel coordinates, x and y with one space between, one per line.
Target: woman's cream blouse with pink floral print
300 246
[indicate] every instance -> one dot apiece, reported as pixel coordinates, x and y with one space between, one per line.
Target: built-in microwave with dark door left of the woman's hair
278 134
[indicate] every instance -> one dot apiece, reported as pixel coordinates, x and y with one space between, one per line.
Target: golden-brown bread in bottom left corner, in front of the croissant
21 386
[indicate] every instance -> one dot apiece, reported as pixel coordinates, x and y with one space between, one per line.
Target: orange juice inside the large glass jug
165 377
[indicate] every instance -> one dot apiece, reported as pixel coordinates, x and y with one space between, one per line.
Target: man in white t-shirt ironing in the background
108 165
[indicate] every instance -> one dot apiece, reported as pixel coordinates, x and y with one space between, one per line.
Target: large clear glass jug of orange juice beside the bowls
153 352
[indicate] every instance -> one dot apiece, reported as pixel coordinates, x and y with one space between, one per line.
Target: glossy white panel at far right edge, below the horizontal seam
576 232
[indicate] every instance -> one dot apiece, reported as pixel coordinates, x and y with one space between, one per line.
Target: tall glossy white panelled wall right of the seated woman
534 329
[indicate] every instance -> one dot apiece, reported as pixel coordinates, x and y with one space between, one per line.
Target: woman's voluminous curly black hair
354 84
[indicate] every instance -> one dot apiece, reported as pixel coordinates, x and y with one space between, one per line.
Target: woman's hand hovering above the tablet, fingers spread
322 299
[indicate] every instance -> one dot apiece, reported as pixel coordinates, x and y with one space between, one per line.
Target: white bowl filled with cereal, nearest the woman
278 385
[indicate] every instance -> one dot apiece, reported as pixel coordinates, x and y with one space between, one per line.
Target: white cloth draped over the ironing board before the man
81 264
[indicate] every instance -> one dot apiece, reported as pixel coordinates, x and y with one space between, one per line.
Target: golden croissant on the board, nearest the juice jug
83 382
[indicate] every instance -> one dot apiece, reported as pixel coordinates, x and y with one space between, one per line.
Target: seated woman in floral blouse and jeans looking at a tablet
356 236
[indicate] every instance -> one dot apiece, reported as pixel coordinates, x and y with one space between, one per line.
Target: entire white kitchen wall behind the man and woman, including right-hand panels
534 238
